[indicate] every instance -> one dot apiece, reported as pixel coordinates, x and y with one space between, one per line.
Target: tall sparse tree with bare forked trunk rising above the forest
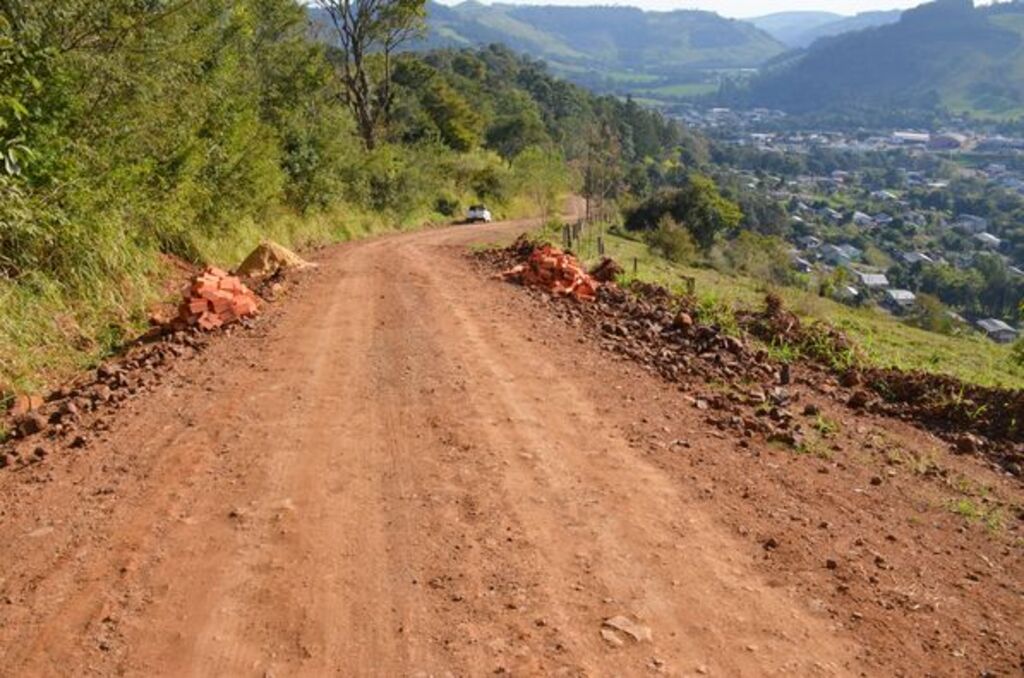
370 31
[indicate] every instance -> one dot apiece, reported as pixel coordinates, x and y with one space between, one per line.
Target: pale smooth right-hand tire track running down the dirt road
600 514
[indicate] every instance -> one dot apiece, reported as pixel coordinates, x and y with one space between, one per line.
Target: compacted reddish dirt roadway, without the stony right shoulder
395 479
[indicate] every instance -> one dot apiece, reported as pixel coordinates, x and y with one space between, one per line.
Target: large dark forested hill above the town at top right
944 56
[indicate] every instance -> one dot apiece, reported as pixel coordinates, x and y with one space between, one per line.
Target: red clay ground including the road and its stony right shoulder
410 469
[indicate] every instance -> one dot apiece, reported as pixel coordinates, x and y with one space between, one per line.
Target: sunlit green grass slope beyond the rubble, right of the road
883 340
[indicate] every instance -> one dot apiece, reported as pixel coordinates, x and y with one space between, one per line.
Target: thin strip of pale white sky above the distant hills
740 8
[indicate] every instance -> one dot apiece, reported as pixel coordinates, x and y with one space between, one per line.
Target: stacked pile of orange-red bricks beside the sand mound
216 299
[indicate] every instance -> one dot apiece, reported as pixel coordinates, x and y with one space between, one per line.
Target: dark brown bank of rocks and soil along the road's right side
664 332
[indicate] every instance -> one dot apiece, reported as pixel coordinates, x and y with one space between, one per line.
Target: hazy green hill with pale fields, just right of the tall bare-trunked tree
609 39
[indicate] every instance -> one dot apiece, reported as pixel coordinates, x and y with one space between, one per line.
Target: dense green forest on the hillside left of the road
136 131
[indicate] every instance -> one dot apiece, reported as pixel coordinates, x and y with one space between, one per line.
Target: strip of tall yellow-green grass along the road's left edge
51 329
